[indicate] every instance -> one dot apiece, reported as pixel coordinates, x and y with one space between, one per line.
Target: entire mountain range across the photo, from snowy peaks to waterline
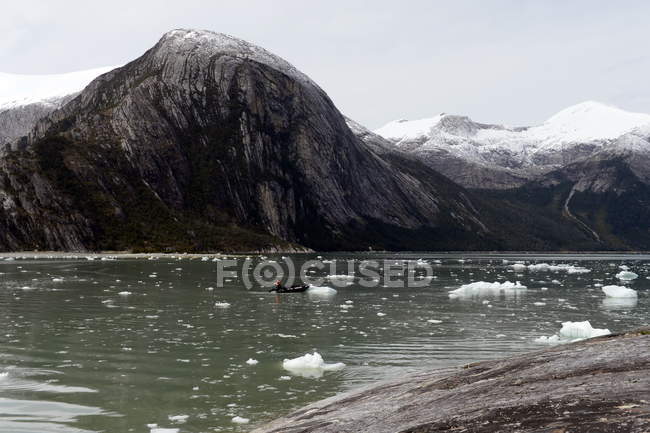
207 142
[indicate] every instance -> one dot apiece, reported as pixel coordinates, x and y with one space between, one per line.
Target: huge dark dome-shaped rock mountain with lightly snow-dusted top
208 142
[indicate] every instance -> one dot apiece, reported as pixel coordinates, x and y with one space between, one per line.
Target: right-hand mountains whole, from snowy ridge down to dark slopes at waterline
588 167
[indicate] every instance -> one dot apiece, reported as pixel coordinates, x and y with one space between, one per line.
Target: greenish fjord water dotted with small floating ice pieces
78 356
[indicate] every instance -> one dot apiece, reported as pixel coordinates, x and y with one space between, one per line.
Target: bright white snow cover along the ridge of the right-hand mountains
506 147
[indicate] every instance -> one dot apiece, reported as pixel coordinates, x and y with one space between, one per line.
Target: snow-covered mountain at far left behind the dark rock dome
24 99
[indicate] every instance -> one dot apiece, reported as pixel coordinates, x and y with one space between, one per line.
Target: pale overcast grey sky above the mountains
513 62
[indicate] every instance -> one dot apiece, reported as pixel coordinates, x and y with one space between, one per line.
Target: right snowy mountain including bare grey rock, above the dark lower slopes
506 156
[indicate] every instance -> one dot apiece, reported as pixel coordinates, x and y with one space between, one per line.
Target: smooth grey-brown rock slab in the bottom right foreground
598 385
